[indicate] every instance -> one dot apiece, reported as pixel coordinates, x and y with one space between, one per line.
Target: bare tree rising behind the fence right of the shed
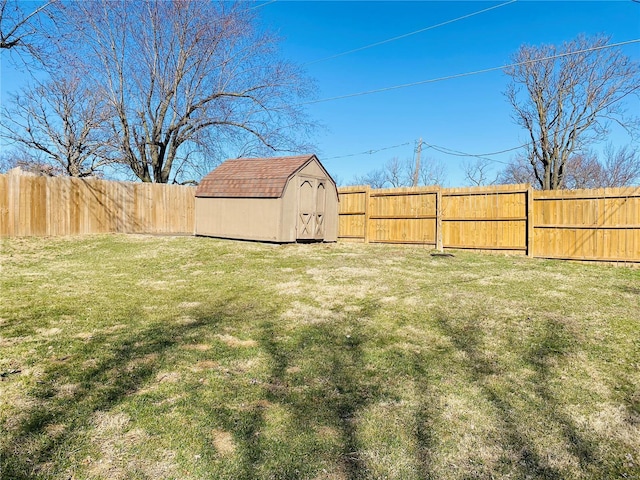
566 97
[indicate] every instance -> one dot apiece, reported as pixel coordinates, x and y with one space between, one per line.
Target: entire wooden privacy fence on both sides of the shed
599 224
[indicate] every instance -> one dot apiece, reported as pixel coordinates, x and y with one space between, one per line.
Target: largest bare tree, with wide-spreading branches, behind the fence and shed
177 74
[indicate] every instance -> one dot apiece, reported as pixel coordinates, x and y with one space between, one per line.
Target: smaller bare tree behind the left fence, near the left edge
64 121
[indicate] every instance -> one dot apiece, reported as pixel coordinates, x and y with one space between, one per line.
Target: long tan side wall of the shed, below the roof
240 218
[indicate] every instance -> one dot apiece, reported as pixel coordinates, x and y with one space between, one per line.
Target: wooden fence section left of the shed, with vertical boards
43 206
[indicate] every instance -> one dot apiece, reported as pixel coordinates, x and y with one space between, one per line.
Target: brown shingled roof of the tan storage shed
252 177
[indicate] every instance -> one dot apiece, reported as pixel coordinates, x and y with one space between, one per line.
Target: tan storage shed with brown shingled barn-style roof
283 199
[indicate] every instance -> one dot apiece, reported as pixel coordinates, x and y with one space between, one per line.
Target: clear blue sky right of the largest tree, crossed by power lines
467 114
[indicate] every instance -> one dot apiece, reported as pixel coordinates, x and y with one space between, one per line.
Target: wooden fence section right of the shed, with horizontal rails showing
599 224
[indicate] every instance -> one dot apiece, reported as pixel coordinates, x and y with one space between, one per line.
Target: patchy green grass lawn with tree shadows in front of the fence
193 358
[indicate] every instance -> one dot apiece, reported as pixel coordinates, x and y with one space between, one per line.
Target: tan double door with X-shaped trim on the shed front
311 206
